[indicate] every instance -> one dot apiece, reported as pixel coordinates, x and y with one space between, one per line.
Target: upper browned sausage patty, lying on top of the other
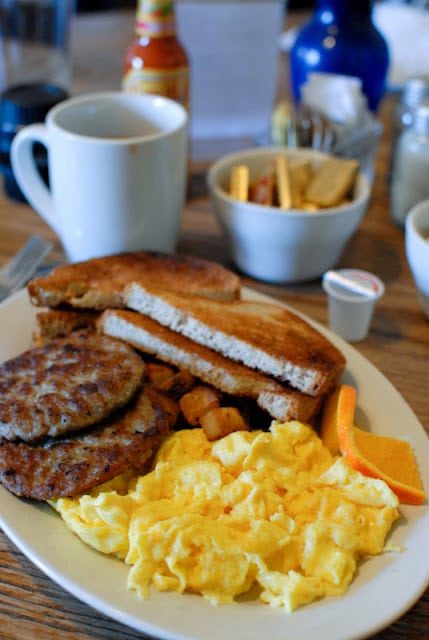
70 383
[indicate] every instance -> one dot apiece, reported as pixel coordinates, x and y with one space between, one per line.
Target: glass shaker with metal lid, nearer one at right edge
410 183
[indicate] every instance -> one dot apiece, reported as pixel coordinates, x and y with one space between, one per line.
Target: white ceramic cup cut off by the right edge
417 250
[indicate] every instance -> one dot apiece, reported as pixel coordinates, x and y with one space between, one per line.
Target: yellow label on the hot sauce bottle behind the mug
172 84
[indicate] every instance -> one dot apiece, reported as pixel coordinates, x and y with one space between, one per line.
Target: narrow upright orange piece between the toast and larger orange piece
338 412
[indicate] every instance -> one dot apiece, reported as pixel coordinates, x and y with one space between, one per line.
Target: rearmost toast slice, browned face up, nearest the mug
99 283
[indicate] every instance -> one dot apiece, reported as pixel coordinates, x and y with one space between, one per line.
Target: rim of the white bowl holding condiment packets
363 185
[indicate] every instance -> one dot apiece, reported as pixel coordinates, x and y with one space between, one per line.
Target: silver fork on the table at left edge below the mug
23 265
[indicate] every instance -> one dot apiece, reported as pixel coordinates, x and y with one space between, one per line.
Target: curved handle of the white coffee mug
27 174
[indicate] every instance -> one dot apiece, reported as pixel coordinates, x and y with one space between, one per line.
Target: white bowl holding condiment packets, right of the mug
279 246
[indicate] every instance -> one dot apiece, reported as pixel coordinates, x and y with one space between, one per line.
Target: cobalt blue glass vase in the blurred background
341 38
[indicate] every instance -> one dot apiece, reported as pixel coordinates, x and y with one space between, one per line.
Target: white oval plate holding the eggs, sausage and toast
385 587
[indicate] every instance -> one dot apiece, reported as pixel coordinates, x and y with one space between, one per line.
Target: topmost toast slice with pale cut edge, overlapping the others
264 336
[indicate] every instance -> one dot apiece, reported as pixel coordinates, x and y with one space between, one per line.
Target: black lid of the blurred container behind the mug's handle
27 103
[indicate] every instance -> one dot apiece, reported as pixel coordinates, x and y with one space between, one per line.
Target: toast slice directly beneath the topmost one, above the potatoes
280 402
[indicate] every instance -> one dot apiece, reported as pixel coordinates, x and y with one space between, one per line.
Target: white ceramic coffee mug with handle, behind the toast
117 172
